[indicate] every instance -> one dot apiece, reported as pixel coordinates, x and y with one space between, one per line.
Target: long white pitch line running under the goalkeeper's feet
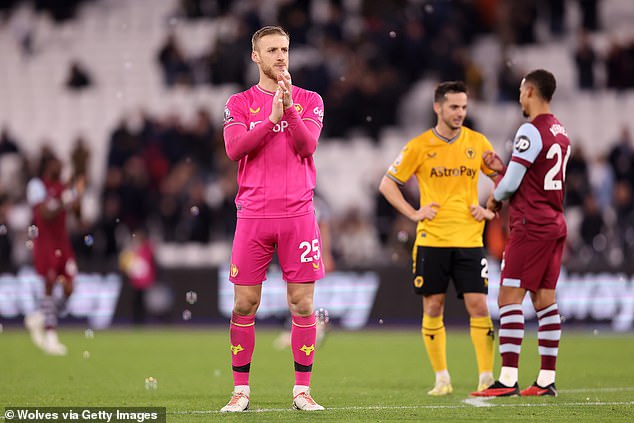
417 407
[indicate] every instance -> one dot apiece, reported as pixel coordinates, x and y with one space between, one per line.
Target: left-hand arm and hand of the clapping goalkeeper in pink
239 141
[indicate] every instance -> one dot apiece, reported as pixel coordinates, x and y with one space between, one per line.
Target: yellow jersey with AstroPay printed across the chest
447 171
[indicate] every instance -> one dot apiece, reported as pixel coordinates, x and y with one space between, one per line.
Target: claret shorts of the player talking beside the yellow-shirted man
532 264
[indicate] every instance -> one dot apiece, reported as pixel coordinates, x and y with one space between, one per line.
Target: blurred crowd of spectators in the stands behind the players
172 176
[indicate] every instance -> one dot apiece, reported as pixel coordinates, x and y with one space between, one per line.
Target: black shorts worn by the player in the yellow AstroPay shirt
434 266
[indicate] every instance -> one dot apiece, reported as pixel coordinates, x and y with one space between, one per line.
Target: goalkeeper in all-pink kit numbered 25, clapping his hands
272 130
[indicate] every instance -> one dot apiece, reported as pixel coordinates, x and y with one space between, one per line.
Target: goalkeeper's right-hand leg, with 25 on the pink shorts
299 253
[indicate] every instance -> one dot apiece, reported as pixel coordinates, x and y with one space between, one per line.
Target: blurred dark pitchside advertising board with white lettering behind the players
353 298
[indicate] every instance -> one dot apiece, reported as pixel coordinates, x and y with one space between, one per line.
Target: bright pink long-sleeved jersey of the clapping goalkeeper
276 170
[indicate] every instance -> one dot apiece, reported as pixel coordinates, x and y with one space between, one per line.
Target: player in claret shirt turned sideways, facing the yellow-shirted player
534 185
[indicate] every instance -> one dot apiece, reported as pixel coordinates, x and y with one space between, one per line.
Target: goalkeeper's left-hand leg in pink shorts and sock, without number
251 255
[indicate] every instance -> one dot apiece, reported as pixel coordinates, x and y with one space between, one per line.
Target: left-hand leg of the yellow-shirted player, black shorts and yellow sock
431 280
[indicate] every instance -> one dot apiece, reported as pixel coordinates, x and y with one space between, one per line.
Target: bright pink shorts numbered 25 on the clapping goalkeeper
298 249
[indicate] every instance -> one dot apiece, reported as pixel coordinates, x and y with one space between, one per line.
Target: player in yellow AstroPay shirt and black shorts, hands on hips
446 161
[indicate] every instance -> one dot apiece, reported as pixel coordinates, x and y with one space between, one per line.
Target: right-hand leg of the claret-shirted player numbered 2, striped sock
549 332
